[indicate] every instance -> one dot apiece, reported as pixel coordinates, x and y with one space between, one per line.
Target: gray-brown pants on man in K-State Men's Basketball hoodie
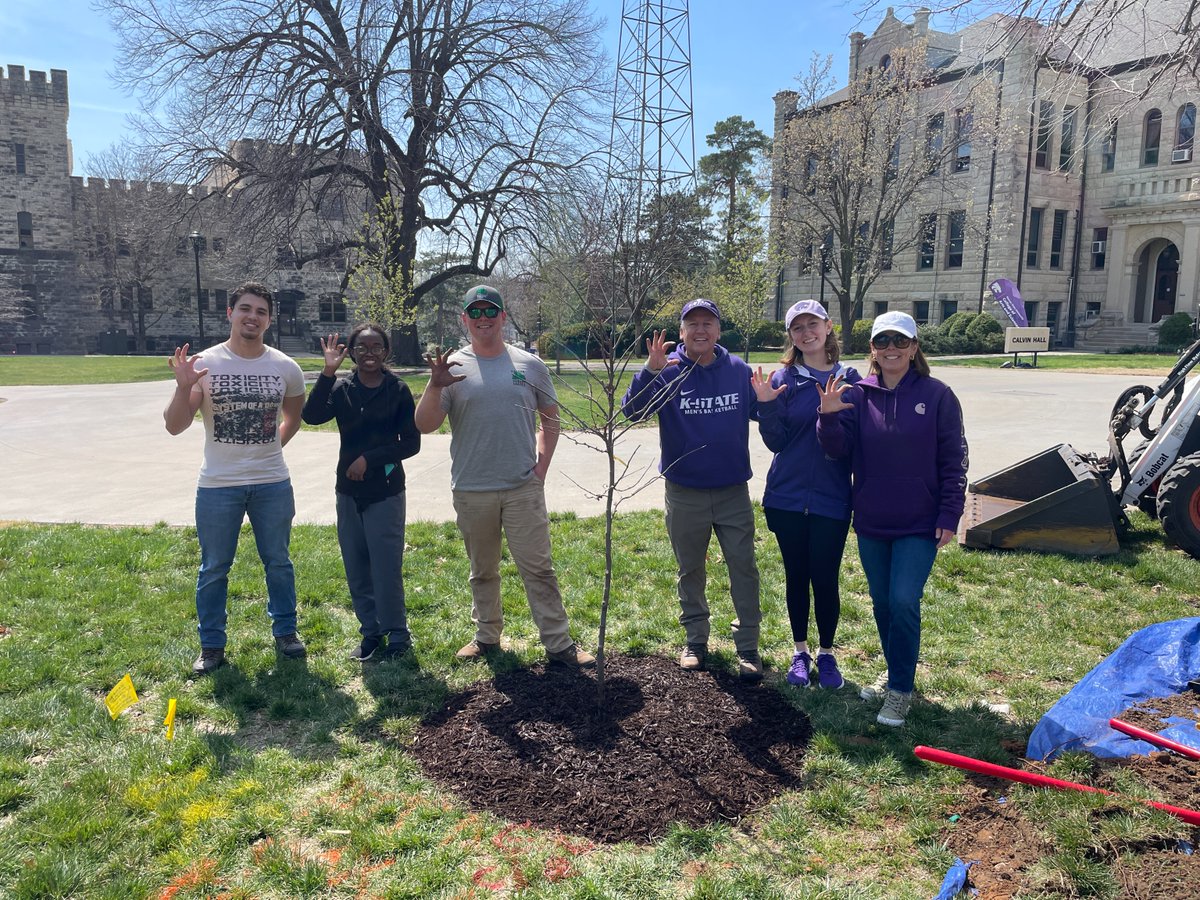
693 515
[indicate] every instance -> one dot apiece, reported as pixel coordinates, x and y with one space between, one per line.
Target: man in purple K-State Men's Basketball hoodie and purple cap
704 400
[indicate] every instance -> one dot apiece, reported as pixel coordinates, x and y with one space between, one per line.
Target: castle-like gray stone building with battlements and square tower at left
112 266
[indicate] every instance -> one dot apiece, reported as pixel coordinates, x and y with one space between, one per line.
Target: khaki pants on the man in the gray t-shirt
521 515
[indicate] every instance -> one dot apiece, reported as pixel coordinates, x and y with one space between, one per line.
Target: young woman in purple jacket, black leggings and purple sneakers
807 502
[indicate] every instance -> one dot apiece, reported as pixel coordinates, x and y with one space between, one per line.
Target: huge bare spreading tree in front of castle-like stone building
460 116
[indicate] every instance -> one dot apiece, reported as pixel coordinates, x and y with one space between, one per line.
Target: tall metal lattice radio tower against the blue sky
652 139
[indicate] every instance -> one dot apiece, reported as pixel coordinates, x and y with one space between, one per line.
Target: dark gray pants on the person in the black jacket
373 543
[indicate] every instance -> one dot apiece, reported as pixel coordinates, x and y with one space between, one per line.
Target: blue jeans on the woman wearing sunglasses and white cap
897 573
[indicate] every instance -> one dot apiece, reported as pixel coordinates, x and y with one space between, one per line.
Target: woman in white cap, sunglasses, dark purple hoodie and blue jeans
903 433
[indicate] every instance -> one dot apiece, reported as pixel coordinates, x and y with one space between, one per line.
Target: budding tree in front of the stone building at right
855 160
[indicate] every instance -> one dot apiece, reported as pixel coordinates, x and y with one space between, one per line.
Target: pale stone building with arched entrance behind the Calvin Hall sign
1094 189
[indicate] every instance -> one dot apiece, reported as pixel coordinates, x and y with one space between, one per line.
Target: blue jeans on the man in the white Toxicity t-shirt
219 514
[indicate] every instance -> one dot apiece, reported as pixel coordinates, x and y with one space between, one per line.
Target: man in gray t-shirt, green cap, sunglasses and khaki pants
499 464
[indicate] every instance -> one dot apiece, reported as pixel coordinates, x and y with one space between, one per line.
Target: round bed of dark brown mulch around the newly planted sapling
669 747
